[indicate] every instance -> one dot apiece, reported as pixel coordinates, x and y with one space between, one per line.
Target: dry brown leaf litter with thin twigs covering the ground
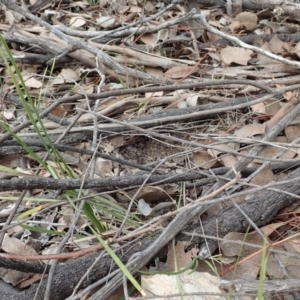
95 47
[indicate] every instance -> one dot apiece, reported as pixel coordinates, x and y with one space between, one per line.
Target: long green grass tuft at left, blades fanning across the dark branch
101 204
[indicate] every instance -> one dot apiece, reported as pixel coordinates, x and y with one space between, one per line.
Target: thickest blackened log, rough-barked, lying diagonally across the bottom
261 209
